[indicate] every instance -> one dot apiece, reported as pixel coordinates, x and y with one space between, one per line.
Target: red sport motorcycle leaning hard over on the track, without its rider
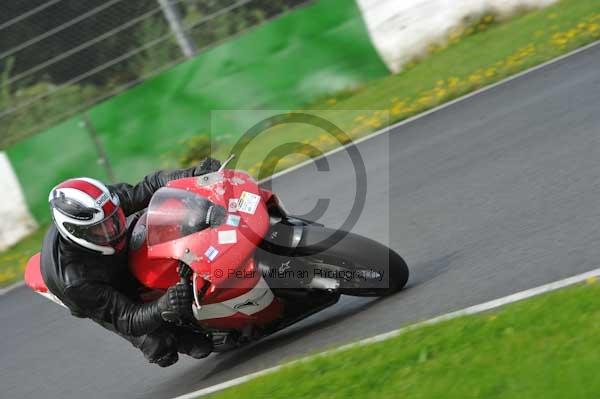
253 268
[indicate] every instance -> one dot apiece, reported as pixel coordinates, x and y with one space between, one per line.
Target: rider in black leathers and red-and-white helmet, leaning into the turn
84 264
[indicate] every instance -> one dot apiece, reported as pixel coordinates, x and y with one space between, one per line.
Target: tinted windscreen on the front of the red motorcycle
175 213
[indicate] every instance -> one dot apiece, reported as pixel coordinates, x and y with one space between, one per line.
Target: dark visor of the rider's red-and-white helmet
106 232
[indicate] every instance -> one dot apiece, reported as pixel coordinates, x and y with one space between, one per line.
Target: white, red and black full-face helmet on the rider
87 214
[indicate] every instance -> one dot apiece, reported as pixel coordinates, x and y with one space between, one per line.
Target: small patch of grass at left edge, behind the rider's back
14 259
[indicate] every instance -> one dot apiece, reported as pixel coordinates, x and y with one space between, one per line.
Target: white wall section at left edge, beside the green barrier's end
15 219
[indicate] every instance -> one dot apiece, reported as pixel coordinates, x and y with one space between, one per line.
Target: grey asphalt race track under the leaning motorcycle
490 196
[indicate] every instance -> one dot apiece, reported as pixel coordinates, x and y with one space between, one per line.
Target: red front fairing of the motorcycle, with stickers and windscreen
221 256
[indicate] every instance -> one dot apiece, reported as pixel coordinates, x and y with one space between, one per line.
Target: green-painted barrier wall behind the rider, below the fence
309 53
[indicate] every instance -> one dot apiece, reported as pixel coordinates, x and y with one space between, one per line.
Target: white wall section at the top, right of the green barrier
403 29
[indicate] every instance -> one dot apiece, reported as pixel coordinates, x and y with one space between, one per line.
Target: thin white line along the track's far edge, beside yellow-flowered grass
433 110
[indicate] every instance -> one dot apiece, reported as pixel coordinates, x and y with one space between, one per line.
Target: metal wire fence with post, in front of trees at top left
60 57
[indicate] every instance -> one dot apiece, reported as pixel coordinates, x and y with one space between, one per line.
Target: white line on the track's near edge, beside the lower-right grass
496 303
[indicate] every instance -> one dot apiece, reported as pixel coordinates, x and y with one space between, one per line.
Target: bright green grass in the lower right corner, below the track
545 347
